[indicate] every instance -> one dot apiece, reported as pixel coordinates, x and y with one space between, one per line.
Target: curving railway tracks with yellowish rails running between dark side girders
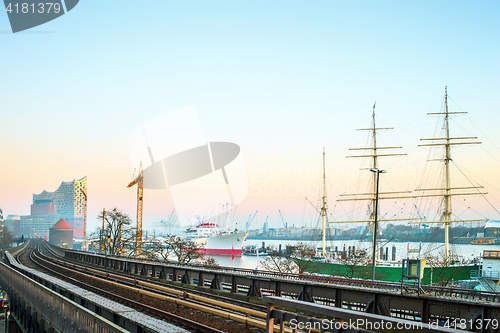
240 316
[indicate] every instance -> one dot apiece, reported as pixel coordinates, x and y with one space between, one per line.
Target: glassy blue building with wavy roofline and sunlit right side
67 202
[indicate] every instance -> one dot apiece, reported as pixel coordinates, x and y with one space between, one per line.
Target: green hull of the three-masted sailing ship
440 275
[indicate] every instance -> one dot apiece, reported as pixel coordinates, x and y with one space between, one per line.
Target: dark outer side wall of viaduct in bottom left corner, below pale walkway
58 312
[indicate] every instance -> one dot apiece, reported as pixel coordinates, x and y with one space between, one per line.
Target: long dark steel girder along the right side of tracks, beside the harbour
437 304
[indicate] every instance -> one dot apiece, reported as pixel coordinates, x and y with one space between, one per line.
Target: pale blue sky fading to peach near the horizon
282 79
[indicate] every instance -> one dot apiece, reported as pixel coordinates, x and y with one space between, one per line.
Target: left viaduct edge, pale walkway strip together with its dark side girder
37 305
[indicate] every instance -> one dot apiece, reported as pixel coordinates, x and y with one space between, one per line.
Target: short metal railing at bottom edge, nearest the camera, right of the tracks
321 318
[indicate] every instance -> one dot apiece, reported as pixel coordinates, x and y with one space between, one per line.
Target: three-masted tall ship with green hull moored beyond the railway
442 268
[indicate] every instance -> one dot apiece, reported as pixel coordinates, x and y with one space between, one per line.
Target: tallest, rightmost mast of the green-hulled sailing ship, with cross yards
447 192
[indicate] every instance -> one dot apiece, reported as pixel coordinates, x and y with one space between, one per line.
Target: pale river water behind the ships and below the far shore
466 251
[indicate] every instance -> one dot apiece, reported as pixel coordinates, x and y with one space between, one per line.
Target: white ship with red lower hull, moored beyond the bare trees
216 240
